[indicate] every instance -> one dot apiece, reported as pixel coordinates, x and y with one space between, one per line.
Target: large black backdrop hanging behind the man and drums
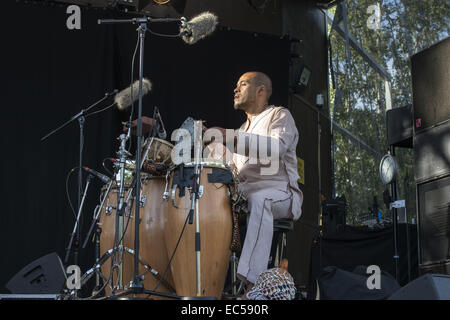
50 73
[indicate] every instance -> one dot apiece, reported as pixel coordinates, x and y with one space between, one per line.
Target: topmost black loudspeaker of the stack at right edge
430 71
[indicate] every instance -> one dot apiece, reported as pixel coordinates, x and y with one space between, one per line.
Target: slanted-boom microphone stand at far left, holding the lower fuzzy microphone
81 117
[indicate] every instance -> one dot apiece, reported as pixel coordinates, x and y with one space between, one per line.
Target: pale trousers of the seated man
264 205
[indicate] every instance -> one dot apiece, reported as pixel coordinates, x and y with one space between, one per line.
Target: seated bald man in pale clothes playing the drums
265 159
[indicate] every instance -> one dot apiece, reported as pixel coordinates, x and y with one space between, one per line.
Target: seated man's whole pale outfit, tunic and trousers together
272 194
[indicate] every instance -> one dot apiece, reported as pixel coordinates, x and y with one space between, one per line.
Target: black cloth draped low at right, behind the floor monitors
362 246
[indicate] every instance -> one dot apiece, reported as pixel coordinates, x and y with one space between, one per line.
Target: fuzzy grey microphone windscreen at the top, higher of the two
198 27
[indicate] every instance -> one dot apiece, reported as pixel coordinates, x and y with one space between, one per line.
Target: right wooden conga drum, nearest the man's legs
215 224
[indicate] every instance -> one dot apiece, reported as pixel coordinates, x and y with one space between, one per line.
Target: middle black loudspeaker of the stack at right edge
432 153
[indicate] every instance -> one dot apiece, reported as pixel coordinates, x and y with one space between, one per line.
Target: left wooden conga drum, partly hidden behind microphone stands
152 251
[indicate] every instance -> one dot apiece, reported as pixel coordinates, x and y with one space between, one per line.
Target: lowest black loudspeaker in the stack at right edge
433 205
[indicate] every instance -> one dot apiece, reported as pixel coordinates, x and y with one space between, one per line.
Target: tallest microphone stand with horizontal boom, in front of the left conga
136 286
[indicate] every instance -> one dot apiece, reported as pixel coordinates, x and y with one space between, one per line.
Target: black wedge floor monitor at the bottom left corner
45 275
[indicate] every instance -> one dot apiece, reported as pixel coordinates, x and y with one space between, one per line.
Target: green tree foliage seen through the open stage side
406 27
